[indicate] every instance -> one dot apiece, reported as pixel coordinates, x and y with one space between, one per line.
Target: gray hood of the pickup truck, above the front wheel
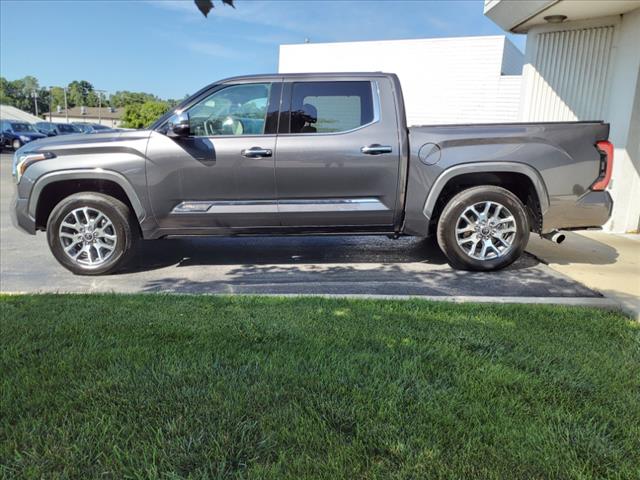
82 141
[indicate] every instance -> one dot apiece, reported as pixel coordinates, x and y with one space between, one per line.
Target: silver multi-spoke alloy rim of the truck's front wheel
88 237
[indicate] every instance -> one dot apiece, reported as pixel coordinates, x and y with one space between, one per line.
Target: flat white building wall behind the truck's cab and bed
444 80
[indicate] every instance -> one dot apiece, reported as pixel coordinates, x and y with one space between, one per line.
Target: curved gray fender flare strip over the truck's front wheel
83 174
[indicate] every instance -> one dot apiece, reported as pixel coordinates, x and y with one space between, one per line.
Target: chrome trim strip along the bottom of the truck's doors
282 206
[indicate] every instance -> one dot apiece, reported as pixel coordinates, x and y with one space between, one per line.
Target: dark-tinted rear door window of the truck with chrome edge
329 107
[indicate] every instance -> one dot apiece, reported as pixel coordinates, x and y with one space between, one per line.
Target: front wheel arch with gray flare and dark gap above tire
52 187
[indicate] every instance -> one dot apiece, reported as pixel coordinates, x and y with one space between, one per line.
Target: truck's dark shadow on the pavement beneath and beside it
338 265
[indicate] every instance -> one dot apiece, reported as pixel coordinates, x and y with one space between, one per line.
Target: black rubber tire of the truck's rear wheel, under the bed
448 222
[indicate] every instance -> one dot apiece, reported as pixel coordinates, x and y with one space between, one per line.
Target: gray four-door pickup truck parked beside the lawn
312 154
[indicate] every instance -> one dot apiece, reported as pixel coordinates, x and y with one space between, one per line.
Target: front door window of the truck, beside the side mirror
233 110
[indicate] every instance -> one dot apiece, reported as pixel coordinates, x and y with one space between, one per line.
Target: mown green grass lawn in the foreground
117 386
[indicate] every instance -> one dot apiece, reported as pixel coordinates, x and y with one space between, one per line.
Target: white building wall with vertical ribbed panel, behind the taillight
589 70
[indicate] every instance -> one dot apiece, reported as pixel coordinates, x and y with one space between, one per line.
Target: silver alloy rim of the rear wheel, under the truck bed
486 230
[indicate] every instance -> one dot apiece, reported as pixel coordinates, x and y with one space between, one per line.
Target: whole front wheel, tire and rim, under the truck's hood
91 233
